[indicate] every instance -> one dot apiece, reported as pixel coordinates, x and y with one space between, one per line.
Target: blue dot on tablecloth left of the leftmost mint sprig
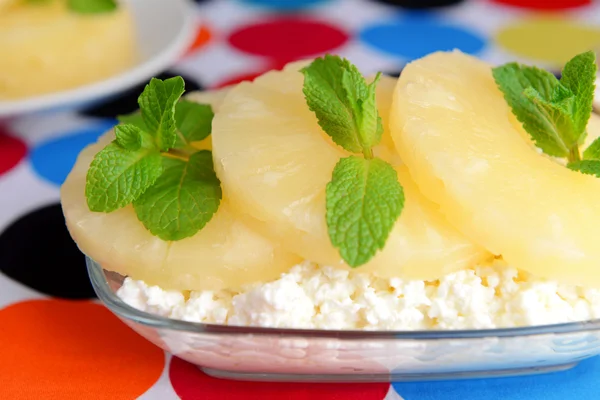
53 159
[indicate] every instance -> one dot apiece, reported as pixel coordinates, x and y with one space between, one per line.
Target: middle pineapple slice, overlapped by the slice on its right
274 163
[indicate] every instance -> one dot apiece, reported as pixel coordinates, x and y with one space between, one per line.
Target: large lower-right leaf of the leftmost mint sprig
183 199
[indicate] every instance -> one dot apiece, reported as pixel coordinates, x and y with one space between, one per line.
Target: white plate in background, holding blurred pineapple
164 29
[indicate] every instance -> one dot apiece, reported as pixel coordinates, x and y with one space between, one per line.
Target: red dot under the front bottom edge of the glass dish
190 383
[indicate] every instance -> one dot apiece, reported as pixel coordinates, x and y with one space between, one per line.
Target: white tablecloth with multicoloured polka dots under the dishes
58 342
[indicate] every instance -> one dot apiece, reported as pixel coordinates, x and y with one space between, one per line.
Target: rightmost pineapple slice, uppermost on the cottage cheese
455 132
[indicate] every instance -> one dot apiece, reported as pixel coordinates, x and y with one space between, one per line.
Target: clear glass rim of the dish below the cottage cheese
125 311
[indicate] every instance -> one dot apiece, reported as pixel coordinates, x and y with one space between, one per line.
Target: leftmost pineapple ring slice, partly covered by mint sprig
225 254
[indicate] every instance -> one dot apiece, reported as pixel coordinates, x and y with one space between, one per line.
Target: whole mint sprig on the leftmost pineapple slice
152 164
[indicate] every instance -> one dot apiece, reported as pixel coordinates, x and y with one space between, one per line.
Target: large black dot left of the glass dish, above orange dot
38 251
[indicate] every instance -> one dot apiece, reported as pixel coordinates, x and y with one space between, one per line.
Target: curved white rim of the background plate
113 84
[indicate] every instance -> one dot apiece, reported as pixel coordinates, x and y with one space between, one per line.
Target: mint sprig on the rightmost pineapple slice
553 112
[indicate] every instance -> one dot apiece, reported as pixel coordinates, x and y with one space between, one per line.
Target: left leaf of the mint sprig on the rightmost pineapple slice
513 79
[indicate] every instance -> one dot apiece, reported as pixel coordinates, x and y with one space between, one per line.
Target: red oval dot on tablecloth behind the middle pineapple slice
287 39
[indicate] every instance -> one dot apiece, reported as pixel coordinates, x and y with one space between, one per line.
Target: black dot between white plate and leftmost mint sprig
126 102
